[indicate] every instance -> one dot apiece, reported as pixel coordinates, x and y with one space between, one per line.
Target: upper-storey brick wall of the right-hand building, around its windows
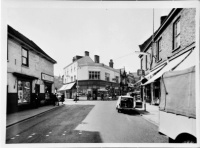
187 34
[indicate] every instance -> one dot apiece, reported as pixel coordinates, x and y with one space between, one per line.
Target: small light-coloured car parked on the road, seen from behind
125 103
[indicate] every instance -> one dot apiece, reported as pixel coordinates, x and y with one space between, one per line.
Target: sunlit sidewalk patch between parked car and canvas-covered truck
151 114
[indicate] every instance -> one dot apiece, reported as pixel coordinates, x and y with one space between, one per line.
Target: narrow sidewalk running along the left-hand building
20 116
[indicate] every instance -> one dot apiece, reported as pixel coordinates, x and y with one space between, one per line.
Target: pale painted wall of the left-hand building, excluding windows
37 65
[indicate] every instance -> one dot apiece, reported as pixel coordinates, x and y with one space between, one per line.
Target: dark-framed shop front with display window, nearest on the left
19 92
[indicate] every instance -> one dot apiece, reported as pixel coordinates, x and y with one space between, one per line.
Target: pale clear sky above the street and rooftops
66 29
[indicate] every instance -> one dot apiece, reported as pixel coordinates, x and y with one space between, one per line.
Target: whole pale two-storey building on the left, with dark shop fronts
29 72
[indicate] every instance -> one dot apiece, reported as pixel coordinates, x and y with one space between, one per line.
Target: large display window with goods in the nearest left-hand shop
24 92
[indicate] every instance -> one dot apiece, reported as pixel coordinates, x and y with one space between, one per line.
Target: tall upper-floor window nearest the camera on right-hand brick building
176 31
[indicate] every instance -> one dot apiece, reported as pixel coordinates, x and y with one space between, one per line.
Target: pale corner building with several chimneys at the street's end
90 77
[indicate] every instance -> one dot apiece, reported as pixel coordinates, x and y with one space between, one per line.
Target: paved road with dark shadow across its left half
85 122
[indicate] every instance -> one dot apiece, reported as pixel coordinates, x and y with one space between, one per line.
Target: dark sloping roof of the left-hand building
12 33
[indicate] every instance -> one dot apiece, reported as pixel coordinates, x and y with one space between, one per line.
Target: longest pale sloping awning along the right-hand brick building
172 64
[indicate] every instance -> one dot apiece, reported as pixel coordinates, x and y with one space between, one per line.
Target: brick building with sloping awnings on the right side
167 49
